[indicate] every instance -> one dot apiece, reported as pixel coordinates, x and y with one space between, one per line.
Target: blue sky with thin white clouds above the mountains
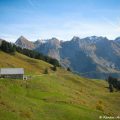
63 19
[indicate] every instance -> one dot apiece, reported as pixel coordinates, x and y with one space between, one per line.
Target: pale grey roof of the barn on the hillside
11 71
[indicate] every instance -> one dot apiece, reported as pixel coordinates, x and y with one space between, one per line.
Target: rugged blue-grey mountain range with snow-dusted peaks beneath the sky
94 57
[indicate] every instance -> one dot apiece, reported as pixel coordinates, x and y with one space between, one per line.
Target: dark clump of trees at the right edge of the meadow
113 83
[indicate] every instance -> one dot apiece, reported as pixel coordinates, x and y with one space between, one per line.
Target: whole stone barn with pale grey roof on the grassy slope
17 73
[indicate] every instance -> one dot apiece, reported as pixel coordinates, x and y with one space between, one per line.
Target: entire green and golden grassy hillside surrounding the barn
58 95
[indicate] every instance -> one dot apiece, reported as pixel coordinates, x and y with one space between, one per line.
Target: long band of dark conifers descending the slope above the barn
12 48
